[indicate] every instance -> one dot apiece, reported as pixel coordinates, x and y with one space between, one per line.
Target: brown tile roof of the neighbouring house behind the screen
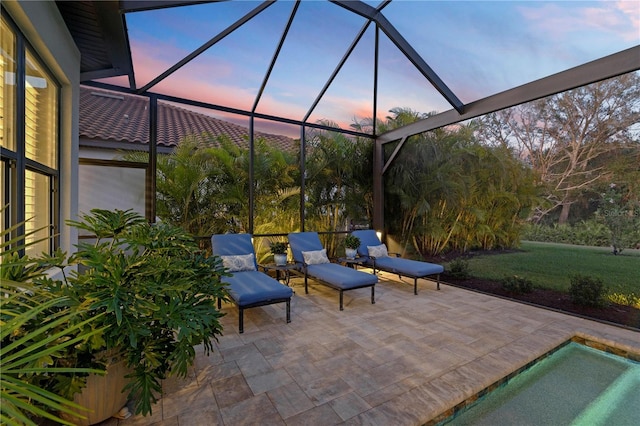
119 117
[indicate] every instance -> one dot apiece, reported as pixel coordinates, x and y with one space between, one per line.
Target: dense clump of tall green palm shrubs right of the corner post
446 191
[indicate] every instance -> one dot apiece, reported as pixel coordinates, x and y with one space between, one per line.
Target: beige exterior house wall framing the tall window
43 26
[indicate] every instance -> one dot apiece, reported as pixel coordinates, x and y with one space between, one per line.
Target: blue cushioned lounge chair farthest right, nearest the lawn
404 267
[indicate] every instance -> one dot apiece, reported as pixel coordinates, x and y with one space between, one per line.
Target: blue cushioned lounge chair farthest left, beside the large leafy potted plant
248 288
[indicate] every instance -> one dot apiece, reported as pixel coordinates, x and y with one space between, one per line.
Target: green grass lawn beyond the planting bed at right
550 265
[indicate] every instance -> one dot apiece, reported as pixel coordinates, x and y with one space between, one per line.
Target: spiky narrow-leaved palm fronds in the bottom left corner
35 336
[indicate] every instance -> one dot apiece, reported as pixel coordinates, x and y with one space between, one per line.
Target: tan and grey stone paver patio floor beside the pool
402 361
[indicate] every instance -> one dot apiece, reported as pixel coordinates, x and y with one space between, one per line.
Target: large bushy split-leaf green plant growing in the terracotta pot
154 296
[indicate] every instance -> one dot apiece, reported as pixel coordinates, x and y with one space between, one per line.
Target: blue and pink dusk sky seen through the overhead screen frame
478 48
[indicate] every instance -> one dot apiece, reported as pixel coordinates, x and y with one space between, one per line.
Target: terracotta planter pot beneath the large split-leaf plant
103 395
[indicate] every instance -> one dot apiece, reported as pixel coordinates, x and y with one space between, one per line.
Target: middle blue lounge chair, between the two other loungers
309 254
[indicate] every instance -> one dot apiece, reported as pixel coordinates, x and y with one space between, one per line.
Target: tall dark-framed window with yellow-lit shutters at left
29 120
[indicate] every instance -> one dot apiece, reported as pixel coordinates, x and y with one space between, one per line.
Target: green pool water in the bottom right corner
576 385
